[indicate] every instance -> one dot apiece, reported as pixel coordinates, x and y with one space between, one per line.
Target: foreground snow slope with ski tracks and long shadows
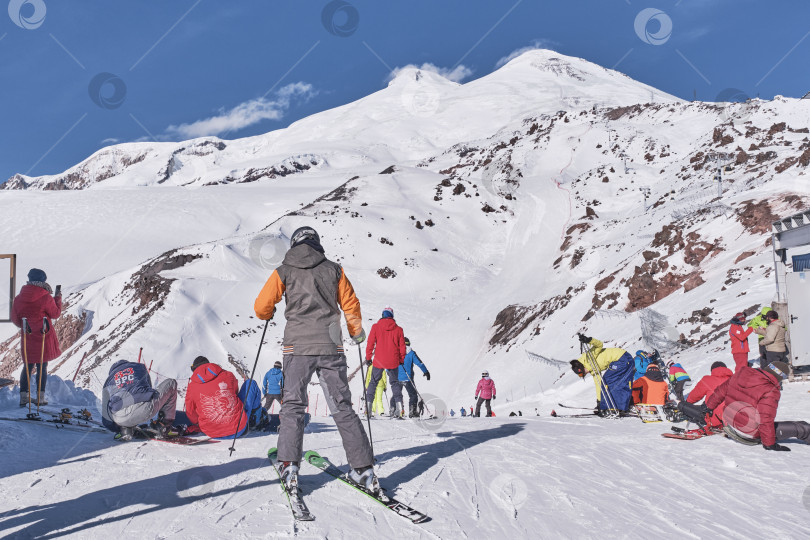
524 477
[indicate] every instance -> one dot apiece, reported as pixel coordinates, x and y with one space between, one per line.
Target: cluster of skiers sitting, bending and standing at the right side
743 402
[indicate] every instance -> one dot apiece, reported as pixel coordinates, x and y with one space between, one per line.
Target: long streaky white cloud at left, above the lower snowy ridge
245 114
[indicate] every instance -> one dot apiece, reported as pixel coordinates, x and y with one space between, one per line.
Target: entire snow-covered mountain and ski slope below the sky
498 218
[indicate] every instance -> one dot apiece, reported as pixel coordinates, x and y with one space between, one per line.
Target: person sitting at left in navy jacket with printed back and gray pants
128 400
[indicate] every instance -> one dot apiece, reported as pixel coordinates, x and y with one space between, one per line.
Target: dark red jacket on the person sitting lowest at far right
751 397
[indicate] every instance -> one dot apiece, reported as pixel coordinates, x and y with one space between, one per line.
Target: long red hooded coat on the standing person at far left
34 303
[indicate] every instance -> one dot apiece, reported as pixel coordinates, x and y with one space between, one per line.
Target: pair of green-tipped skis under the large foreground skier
299 507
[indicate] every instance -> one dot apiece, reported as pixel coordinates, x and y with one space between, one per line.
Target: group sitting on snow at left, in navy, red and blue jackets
215 404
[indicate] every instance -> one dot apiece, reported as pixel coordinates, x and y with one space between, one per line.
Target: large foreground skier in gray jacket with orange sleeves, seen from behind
316 289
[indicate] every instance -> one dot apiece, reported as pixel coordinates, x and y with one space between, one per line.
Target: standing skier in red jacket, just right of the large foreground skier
386 345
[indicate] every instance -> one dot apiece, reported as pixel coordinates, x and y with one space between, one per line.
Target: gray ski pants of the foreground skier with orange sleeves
331 369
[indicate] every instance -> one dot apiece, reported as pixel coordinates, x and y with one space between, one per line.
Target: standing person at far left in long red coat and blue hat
35 303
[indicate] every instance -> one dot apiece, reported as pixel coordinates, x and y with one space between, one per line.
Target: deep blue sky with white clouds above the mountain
77 76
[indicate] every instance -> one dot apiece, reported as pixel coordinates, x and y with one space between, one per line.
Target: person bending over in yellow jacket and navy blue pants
613 369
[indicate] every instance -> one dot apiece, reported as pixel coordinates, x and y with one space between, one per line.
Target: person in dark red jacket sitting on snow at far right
751 397
